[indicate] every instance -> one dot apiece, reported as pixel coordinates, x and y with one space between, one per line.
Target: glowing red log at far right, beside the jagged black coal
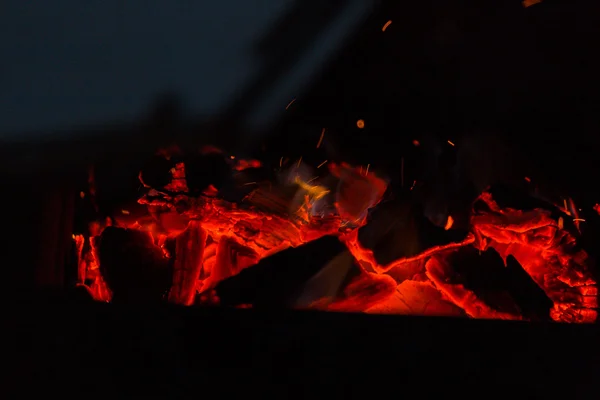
548 254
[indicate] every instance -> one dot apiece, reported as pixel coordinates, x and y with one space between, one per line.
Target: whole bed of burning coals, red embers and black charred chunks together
513 264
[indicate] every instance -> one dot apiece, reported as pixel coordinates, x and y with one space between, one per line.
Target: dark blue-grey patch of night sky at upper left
67 62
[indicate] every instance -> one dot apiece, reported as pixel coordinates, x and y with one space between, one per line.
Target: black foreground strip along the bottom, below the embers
189 353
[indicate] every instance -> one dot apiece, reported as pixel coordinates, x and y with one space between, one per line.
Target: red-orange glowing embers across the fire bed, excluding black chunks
208 239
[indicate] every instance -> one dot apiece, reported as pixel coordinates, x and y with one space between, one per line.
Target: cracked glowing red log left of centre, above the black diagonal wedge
243 234
